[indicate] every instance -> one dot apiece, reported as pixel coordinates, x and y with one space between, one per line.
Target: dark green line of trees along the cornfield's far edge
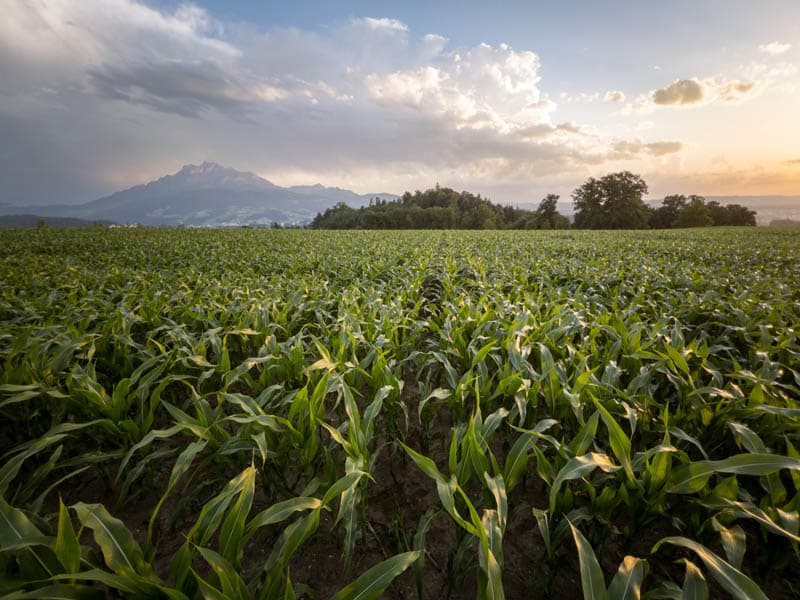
611 202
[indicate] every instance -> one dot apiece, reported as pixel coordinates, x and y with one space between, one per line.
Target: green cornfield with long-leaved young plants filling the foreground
279 414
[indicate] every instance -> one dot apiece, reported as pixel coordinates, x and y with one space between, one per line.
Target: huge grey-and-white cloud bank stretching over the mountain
100 94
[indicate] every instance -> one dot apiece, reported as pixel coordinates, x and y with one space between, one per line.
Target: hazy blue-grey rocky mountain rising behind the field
207 195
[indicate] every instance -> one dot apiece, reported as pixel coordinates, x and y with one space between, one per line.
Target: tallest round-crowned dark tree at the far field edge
612 202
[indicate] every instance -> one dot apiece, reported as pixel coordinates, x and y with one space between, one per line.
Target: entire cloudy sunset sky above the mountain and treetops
512 100
